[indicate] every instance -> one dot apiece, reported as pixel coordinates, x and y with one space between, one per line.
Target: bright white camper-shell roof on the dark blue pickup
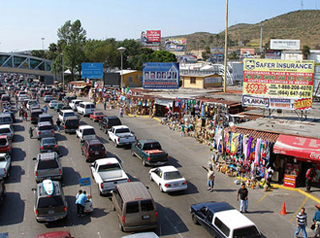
234 219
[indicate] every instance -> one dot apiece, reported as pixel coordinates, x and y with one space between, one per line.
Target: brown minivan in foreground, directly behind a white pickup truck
135 207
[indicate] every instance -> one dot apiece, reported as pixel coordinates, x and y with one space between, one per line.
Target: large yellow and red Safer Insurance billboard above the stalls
278 84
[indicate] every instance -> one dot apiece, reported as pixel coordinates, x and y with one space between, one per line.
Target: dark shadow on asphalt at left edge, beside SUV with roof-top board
12 209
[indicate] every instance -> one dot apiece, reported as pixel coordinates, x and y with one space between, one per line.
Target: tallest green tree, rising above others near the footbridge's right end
72 38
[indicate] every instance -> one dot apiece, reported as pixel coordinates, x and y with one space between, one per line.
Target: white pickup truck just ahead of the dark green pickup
121 135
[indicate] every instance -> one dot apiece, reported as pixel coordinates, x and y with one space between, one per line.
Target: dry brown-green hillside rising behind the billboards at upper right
303 25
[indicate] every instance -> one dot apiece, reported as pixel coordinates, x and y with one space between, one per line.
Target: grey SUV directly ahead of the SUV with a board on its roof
47 166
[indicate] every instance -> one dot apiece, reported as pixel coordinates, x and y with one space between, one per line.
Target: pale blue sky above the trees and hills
23 23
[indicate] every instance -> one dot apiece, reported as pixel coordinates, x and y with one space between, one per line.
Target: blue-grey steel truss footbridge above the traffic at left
24 64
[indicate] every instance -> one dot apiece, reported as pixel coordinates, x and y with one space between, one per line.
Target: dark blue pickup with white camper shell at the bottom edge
220 219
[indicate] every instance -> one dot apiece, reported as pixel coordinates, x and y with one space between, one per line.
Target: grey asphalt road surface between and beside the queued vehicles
17 216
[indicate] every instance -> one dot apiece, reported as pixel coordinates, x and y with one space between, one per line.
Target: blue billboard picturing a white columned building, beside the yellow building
160 75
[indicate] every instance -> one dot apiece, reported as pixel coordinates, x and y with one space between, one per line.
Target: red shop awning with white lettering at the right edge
306 148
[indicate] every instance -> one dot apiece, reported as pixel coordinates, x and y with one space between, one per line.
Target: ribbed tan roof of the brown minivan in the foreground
133 191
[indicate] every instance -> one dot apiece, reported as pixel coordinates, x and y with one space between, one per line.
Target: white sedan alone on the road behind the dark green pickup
168 178
